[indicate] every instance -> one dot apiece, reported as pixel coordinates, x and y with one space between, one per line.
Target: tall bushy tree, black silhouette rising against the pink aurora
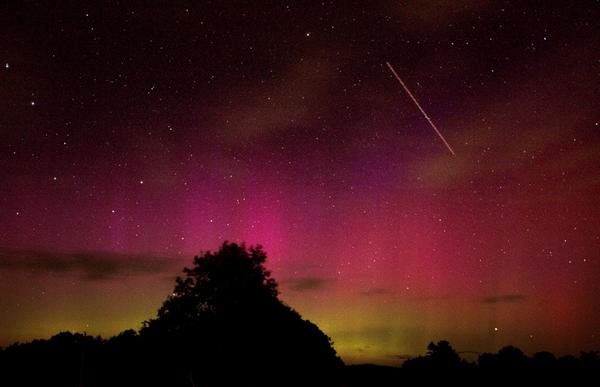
224 314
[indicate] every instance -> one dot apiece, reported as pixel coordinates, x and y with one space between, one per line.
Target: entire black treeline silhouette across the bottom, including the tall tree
224 325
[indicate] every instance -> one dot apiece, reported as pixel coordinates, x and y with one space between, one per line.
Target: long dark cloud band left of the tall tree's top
92 266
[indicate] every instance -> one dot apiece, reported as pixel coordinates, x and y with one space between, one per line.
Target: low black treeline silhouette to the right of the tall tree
510 366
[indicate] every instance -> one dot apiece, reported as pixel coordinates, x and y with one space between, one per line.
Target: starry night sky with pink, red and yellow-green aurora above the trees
135 135
